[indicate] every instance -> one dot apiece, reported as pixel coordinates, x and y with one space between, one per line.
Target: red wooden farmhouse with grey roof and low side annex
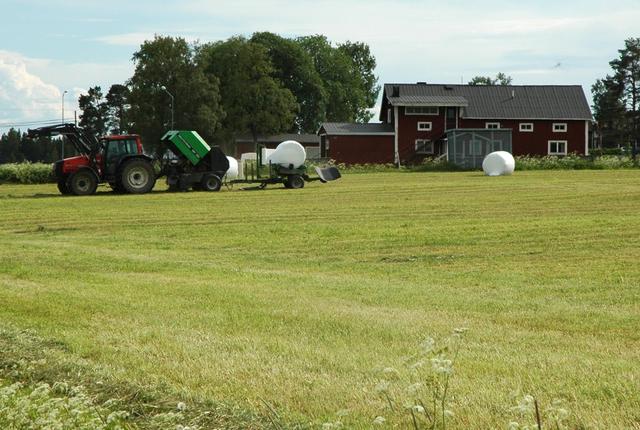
464 122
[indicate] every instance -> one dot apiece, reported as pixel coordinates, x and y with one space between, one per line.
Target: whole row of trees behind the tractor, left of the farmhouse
262 85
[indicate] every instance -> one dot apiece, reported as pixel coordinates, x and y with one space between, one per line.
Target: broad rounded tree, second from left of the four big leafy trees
254 101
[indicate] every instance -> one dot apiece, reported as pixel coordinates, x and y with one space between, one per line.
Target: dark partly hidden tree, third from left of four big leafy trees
293 67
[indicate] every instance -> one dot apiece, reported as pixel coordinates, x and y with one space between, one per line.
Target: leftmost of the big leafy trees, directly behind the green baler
171 62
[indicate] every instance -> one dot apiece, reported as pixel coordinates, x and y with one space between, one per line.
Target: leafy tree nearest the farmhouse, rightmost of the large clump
349 95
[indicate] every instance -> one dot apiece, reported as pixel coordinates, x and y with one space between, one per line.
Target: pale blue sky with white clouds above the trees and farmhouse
48 46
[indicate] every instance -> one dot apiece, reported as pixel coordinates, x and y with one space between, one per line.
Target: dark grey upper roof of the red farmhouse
500 101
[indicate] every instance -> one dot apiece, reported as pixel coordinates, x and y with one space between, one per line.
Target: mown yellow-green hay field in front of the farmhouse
298 298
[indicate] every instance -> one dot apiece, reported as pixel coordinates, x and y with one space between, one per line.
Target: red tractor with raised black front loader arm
117 160
